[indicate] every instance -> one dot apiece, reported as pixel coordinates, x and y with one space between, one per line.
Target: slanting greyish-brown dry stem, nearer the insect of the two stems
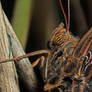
27 74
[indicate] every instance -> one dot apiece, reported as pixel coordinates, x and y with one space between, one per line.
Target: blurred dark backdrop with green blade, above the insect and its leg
35 20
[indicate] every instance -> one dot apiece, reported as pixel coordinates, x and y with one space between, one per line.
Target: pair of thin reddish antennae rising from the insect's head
67 24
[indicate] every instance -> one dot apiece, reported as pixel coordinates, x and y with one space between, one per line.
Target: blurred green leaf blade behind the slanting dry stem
21 19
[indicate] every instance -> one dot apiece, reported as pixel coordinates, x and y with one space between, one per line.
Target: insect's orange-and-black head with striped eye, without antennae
61 45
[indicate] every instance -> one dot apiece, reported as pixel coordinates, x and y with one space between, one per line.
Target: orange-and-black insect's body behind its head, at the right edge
78 68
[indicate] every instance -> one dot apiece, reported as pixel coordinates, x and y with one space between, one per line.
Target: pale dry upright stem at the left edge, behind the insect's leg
8 75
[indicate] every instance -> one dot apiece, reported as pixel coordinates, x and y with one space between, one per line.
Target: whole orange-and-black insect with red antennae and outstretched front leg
67 66
